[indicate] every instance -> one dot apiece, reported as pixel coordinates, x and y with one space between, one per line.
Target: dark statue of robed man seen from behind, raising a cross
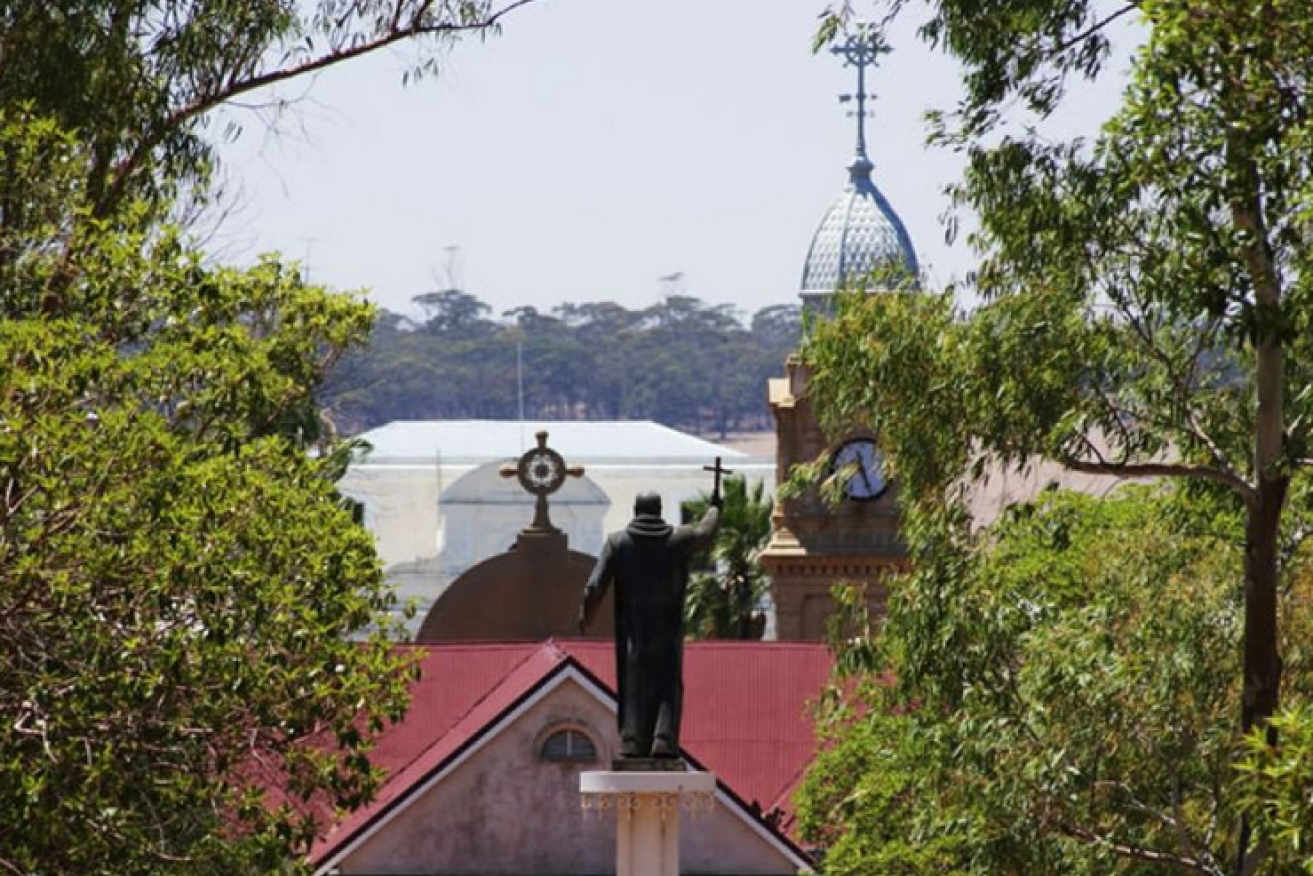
649 564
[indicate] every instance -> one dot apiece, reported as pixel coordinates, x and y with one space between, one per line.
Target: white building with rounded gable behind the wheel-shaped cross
438 505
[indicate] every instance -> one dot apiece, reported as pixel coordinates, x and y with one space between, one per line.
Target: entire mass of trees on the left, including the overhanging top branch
192 628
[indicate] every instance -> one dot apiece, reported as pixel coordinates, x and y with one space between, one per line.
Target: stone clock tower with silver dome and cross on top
816 544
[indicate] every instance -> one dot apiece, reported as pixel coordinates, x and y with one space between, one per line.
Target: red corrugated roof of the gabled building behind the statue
746 715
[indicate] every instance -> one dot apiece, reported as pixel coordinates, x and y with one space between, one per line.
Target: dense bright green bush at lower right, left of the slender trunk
1064 701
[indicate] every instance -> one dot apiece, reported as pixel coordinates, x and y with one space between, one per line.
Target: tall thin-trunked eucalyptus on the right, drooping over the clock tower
1147 305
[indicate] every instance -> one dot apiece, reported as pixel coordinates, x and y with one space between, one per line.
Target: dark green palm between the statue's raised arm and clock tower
723 600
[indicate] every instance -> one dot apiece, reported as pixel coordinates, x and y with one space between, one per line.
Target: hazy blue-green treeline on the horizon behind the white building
682 363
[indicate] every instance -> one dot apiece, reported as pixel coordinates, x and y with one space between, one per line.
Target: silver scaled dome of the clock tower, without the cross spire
859 234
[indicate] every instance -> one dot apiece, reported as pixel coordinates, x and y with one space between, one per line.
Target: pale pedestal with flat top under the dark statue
648 810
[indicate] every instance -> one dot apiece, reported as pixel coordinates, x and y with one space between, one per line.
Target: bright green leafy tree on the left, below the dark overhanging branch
188 681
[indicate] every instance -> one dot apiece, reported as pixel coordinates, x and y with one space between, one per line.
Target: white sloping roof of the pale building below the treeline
580 442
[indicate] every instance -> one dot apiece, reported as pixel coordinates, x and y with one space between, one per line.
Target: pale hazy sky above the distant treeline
592 149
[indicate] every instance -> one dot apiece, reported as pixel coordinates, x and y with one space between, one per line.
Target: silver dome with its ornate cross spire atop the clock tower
861 236
